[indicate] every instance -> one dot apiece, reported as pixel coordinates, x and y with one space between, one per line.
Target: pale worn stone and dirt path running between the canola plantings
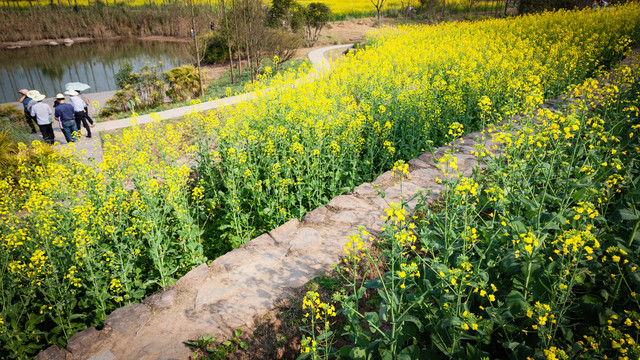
247 282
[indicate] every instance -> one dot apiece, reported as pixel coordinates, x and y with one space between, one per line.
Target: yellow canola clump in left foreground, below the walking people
80 239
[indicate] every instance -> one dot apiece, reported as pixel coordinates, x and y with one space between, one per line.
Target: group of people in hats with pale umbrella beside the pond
69 115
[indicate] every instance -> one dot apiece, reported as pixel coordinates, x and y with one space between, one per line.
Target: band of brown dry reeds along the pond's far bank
100 21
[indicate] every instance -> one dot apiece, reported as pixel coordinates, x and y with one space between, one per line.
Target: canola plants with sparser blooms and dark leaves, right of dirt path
548 269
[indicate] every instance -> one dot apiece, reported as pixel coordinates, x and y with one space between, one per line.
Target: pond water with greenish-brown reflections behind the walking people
48 68
